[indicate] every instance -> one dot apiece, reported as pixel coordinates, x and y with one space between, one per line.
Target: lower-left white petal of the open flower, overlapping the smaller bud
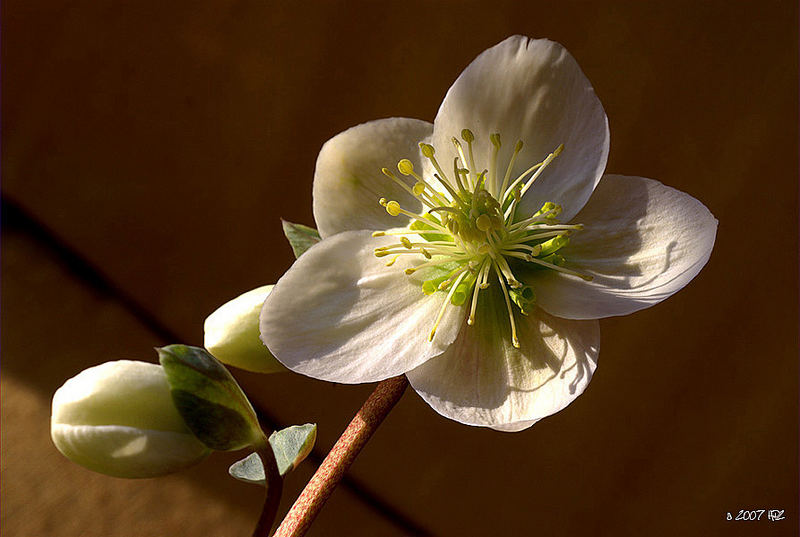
340 314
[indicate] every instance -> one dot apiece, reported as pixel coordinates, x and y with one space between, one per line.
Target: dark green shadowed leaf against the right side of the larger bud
208 399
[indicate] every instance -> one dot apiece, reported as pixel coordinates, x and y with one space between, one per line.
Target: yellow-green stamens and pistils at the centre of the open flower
470 233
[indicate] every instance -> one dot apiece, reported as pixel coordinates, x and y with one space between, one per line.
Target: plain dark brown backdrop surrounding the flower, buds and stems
149 149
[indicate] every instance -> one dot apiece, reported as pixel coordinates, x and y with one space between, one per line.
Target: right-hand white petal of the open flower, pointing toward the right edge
643 242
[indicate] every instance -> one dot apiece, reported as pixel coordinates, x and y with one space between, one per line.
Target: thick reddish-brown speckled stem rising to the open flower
344 452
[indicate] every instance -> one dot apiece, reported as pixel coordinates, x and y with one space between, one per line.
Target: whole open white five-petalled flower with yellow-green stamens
514 244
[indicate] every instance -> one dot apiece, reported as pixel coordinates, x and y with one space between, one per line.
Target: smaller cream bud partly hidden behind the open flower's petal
232 333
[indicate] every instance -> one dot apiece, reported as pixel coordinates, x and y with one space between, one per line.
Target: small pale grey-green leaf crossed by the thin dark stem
290 447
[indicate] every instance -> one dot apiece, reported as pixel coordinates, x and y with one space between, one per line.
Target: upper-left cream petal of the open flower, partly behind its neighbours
348 181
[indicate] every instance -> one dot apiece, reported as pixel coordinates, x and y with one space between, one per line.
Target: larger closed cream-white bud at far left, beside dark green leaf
118 419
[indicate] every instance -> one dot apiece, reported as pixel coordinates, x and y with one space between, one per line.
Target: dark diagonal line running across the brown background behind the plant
13 217
